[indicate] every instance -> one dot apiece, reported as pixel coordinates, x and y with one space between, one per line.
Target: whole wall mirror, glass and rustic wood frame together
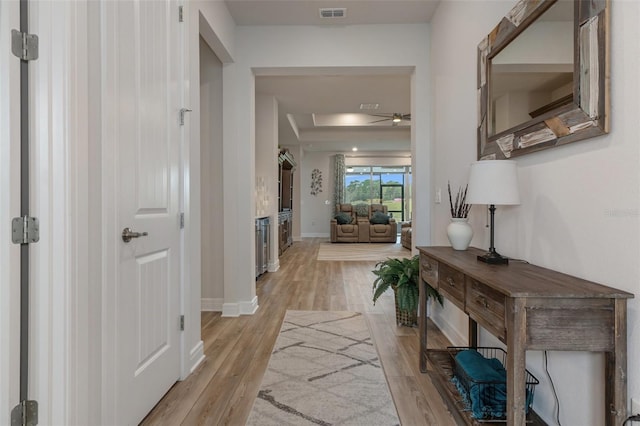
543 77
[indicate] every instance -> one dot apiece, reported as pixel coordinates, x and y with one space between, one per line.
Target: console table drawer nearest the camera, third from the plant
487 307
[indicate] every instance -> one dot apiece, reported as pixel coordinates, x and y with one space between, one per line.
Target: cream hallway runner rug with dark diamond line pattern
324 370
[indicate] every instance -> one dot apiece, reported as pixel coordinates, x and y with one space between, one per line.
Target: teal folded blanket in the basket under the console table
484 386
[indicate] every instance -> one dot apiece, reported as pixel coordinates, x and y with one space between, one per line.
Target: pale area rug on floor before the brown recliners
361 251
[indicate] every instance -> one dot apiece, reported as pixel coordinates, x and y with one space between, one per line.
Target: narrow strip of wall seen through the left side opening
211 179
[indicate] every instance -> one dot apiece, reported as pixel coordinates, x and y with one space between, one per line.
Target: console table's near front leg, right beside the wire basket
516 360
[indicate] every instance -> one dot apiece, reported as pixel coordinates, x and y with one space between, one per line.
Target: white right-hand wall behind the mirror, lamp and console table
580 202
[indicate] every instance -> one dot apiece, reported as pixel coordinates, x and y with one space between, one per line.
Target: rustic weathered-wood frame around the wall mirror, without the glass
586 117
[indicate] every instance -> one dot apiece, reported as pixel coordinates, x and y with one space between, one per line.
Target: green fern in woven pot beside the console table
402 275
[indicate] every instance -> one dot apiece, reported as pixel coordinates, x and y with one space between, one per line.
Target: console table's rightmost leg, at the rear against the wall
615 369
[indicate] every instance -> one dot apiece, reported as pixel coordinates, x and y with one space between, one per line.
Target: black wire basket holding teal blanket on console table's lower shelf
487 398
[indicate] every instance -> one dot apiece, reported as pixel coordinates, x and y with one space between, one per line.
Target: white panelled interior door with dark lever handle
142 98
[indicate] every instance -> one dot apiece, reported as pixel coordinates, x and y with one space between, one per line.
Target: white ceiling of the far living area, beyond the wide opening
303 98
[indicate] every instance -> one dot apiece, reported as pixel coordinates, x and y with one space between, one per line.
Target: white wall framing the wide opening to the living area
287 47
